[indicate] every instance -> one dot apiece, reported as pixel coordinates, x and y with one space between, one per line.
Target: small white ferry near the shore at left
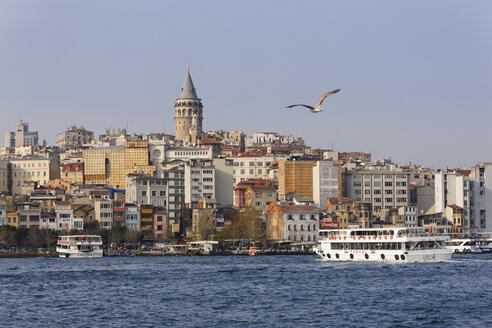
79 246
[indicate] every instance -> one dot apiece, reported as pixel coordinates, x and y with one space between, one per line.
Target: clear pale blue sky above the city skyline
416 77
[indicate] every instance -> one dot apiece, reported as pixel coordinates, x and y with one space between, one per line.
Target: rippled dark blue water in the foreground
261 291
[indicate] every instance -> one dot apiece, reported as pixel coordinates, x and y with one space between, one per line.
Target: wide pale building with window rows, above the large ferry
383 189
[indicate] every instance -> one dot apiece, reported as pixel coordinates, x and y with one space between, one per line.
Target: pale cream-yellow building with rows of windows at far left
26 170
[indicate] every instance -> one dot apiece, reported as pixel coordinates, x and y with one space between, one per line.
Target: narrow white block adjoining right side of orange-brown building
325 182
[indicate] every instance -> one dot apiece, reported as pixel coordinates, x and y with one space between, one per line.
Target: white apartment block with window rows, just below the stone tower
199 182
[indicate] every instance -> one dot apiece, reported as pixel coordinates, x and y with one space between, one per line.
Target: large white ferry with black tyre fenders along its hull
395 245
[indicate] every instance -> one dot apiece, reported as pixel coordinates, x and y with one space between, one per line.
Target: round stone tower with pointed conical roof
188 113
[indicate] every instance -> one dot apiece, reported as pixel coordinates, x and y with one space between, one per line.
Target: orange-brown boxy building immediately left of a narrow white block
295 176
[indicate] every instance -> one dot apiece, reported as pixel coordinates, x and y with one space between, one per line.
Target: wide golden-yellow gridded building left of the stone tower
110 166
